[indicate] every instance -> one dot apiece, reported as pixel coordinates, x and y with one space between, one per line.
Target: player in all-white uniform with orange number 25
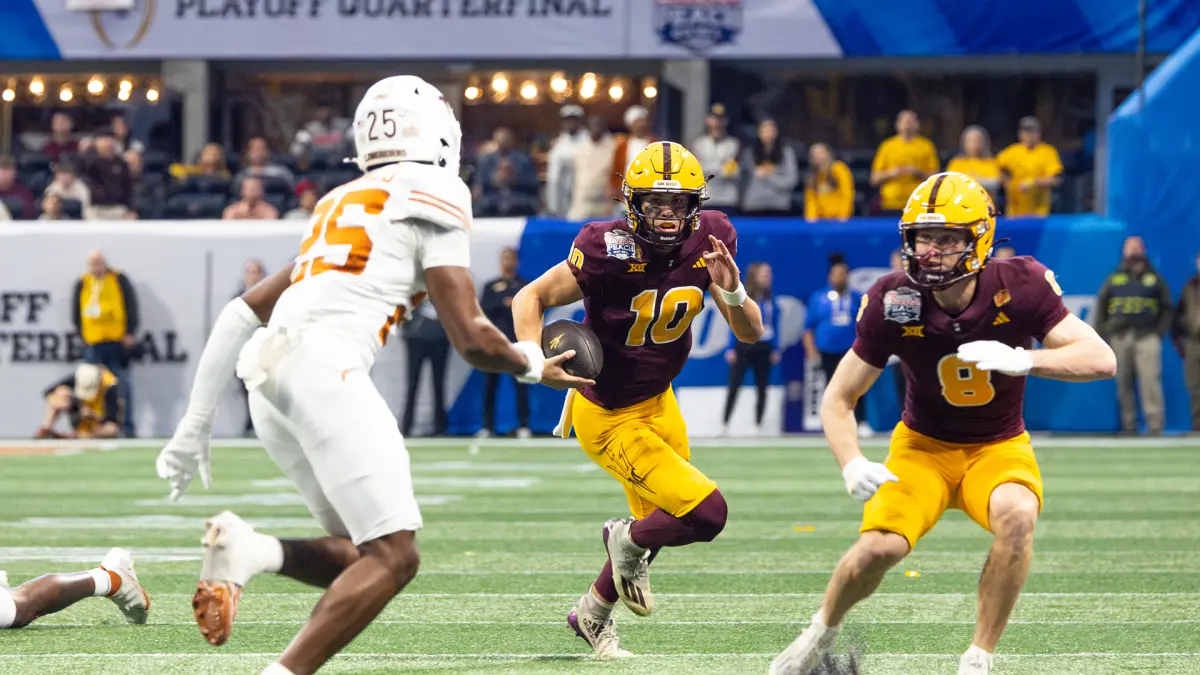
377 246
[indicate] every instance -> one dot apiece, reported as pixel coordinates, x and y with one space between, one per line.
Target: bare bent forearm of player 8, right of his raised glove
1075 353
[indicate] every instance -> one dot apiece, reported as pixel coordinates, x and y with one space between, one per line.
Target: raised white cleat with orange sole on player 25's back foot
229 564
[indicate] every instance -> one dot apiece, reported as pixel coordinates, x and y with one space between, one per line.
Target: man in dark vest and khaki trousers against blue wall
1133 312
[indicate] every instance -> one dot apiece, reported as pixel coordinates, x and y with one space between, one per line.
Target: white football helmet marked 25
406 120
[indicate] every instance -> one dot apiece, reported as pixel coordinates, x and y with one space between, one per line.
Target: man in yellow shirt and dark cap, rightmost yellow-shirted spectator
1033 171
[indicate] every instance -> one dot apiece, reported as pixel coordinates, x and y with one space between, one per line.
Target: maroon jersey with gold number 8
1016 302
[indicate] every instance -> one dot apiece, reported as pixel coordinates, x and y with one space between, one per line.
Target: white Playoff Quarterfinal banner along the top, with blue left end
417 29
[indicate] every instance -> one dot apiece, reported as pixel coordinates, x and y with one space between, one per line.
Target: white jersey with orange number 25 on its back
362 265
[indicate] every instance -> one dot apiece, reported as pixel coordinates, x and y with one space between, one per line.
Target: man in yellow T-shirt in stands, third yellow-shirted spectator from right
902 163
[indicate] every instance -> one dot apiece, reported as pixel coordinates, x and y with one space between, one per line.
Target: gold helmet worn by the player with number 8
949 201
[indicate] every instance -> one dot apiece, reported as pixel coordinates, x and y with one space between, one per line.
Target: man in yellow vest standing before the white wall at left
107 318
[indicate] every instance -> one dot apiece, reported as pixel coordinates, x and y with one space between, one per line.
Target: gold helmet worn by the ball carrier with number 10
663 190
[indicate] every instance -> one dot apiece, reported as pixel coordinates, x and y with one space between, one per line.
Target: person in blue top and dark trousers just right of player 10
760 356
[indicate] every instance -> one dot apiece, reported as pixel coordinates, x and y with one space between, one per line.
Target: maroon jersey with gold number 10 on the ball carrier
641 304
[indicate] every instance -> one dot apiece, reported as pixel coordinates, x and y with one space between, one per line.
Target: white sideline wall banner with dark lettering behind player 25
184 273
